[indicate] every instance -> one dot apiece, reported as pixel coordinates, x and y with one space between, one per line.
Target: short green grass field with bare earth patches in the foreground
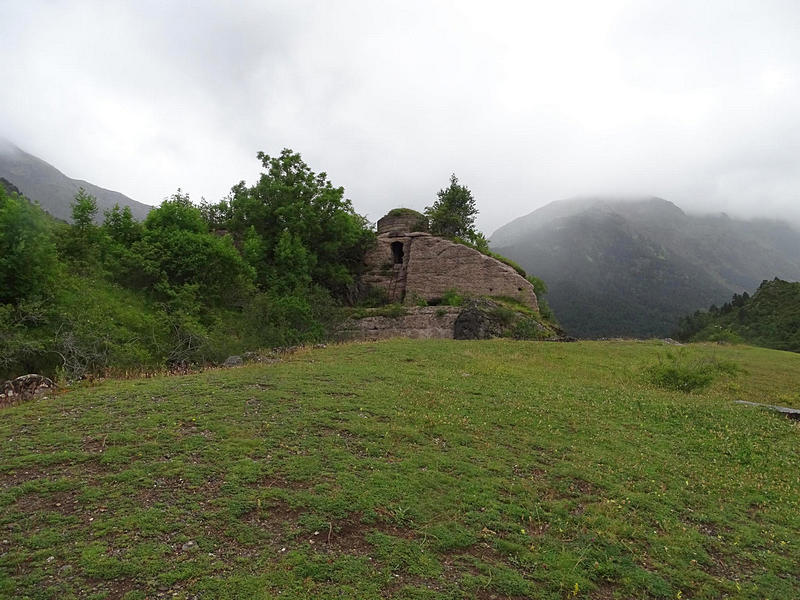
411 469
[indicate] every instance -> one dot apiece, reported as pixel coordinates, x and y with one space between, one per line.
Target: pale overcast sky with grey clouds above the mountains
527 102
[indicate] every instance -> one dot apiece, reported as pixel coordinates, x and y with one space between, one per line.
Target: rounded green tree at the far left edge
28 261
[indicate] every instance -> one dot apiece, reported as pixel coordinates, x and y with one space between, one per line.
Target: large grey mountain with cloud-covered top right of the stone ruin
634 267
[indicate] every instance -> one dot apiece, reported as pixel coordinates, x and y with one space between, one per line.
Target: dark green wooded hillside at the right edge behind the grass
769 318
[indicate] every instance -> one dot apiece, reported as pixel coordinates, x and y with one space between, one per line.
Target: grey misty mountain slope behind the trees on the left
53 190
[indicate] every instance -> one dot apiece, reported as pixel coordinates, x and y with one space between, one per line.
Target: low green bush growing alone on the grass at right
685 372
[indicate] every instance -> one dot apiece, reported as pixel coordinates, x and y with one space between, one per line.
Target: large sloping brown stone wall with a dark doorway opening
429 266
